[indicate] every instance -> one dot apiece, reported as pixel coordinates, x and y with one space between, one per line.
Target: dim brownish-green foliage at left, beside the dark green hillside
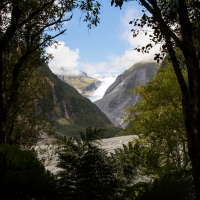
28 119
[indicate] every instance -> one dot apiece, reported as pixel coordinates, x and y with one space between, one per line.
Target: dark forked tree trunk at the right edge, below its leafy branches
190 104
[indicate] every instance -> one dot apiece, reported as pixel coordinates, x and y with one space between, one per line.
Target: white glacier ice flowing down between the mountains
106 81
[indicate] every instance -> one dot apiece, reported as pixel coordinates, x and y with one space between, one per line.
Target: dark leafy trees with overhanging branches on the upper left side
27 28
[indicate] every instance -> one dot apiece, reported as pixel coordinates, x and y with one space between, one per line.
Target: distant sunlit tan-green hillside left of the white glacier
84 84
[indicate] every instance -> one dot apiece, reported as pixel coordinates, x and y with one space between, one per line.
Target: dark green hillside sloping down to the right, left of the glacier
73 112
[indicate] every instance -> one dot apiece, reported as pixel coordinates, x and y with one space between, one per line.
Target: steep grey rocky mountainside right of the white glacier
120 94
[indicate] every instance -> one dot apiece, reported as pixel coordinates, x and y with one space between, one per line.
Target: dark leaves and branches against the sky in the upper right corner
161 16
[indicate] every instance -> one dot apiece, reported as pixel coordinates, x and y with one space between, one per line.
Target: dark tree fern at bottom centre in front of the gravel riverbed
86 170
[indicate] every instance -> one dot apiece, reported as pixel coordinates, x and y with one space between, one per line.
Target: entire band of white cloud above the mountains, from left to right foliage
68 61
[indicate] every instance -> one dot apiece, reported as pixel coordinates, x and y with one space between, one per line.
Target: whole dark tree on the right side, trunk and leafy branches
176 24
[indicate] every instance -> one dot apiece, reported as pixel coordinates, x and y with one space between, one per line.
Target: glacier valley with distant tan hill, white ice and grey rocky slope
113 94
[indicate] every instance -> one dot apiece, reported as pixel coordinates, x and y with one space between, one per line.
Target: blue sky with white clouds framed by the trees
109 47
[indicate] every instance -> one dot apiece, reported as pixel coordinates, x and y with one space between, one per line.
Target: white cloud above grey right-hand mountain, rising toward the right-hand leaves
117 64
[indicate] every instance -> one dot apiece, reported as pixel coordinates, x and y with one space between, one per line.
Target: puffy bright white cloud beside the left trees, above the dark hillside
65 61
